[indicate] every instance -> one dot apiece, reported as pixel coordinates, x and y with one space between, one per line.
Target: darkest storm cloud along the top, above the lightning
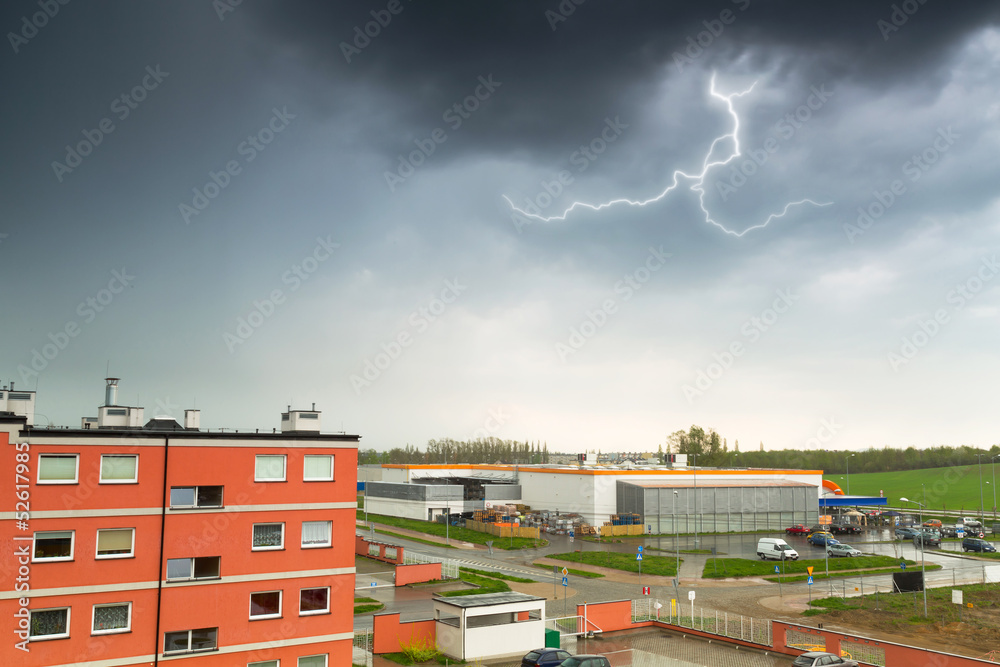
561 71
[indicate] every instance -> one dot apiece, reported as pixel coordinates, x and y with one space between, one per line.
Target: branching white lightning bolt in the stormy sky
698 180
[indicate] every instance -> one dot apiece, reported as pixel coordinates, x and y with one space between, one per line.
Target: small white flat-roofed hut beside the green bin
491 625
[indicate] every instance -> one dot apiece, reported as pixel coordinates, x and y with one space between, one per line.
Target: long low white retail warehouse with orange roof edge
667 499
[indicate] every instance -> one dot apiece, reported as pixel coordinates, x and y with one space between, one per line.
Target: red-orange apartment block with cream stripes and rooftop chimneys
131 543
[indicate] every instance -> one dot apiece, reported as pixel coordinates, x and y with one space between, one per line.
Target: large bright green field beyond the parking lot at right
953 488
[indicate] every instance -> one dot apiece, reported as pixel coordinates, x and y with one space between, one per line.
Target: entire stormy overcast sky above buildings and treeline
363 205
